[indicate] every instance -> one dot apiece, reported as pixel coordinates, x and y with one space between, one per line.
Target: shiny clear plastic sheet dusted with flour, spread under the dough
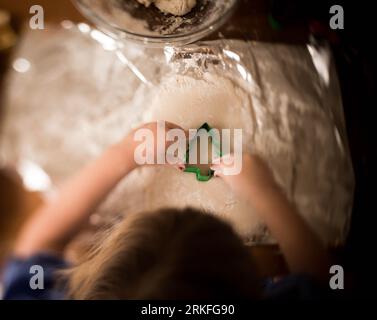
76 91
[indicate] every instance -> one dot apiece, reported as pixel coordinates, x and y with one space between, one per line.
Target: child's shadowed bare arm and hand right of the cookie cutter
302 249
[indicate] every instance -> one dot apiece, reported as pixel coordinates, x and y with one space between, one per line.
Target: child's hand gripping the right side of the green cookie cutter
255 175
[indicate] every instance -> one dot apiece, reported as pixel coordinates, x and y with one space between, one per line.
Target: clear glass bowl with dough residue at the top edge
127 19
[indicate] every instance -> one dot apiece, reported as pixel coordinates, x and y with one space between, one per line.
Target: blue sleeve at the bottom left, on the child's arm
17 275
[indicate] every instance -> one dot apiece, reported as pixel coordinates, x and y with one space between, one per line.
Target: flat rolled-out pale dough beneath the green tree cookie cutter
189 103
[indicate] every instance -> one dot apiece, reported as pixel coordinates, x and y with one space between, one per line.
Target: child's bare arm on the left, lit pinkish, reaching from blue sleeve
53 226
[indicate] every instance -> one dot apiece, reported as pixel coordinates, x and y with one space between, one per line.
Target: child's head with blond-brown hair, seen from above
169 254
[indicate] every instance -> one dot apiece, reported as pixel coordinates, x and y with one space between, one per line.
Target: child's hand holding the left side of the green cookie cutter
130 143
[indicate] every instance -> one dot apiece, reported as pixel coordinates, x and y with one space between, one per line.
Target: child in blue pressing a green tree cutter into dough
169 254
